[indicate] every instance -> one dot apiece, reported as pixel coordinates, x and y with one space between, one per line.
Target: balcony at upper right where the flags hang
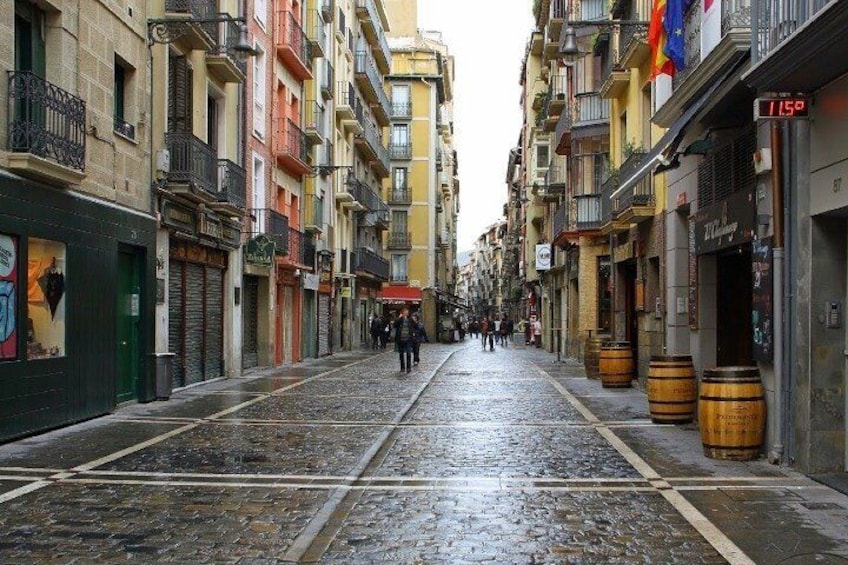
734 45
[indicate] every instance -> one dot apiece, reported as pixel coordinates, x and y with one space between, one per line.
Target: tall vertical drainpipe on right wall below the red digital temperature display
775 455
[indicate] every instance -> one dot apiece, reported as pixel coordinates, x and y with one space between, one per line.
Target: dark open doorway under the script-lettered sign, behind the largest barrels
734 329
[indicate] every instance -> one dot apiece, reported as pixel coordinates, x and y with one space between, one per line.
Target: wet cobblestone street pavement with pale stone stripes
504 457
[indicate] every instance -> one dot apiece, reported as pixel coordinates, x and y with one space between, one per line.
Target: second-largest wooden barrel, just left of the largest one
672 389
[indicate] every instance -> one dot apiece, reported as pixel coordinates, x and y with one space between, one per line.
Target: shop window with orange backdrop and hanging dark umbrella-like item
45 328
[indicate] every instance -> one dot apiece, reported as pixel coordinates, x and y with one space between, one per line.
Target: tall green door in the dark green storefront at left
129 314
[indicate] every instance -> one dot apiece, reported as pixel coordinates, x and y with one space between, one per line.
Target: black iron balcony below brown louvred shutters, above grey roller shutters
194 167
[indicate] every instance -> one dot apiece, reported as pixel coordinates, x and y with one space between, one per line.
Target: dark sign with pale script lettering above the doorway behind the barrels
726 224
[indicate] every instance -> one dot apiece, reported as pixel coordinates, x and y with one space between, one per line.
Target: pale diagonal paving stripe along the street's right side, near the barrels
707 529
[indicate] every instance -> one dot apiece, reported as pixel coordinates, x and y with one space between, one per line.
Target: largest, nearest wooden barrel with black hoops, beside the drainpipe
732 413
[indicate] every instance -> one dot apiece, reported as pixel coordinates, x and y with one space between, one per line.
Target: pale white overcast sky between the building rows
487 40
